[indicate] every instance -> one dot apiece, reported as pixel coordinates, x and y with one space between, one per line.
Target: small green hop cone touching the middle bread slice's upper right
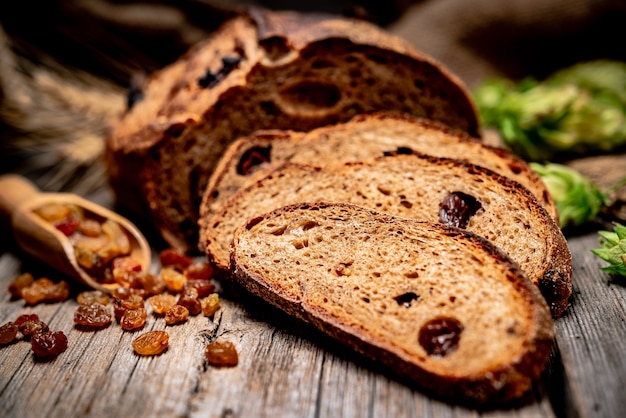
577 199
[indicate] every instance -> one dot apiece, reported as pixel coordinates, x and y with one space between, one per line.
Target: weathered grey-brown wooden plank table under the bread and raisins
288 369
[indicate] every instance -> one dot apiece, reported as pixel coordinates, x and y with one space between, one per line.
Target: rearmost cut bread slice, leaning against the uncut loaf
364 137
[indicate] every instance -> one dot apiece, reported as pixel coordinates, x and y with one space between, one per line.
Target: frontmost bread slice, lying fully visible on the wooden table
437 304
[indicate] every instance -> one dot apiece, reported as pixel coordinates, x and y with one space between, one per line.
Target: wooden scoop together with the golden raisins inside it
75 236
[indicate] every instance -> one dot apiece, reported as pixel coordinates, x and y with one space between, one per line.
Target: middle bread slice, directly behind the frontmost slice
416 186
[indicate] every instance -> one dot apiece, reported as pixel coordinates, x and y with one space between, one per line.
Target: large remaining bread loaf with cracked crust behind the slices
277 70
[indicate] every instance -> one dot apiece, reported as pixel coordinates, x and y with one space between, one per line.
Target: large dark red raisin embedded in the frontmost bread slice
440 336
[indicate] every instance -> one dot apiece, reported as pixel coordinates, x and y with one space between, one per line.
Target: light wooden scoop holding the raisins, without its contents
19 198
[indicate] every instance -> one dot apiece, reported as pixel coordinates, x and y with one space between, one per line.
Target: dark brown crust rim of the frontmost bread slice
478 389
